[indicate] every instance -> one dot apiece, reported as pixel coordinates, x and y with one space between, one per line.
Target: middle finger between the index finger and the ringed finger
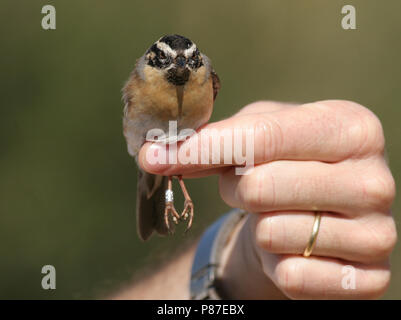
310 185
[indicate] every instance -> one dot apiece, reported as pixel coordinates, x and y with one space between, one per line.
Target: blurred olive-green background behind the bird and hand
67 184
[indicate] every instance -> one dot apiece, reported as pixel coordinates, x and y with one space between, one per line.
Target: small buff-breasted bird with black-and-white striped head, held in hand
172 81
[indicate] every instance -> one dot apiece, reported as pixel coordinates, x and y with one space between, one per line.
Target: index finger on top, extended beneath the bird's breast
329 131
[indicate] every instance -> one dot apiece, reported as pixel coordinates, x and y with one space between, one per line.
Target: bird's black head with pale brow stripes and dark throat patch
176 56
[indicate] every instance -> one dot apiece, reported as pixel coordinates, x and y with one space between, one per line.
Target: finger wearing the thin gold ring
349 239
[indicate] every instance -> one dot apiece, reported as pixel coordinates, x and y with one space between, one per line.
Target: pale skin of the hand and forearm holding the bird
326 156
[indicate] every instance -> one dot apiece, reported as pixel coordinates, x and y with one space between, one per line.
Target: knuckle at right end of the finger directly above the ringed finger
379 190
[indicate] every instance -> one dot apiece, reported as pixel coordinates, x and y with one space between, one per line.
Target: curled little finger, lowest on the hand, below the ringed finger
324 278
